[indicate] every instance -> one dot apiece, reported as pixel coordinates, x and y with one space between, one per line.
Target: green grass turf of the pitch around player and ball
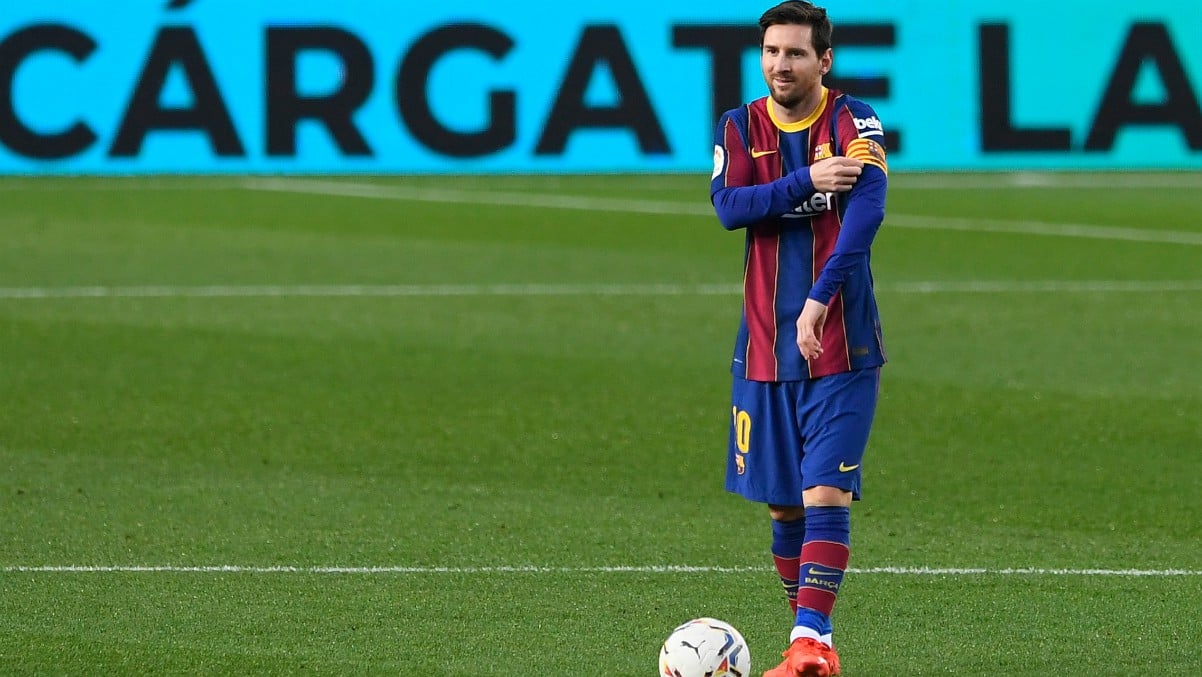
521 460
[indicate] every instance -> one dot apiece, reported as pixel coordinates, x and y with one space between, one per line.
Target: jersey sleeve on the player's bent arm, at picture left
737 200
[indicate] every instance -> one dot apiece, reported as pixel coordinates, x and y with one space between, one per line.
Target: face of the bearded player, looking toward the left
792 68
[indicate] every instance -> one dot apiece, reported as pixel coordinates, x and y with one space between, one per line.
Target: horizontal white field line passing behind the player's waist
533 290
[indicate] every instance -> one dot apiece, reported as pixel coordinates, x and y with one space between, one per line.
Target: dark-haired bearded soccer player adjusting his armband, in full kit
804 173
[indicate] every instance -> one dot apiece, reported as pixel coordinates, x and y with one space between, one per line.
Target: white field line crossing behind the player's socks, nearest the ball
647 569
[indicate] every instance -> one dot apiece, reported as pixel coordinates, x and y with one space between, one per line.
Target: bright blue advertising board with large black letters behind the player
471 87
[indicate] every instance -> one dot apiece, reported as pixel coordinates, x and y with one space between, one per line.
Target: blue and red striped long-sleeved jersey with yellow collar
802 244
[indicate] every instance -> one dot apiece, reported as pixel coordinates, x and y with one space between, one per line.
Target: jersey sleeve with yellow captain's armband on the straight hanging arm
861 136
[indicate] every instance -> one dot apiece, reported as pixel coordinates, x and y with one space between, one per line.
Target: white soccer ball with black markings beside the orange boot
705 648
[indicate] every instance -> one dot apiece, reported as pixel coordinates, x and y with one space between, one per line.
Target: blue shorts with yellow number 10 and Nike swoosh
792 436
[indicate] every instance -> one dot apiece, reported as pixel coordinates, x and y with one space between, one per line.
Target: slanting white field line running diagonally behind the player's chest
515 199
